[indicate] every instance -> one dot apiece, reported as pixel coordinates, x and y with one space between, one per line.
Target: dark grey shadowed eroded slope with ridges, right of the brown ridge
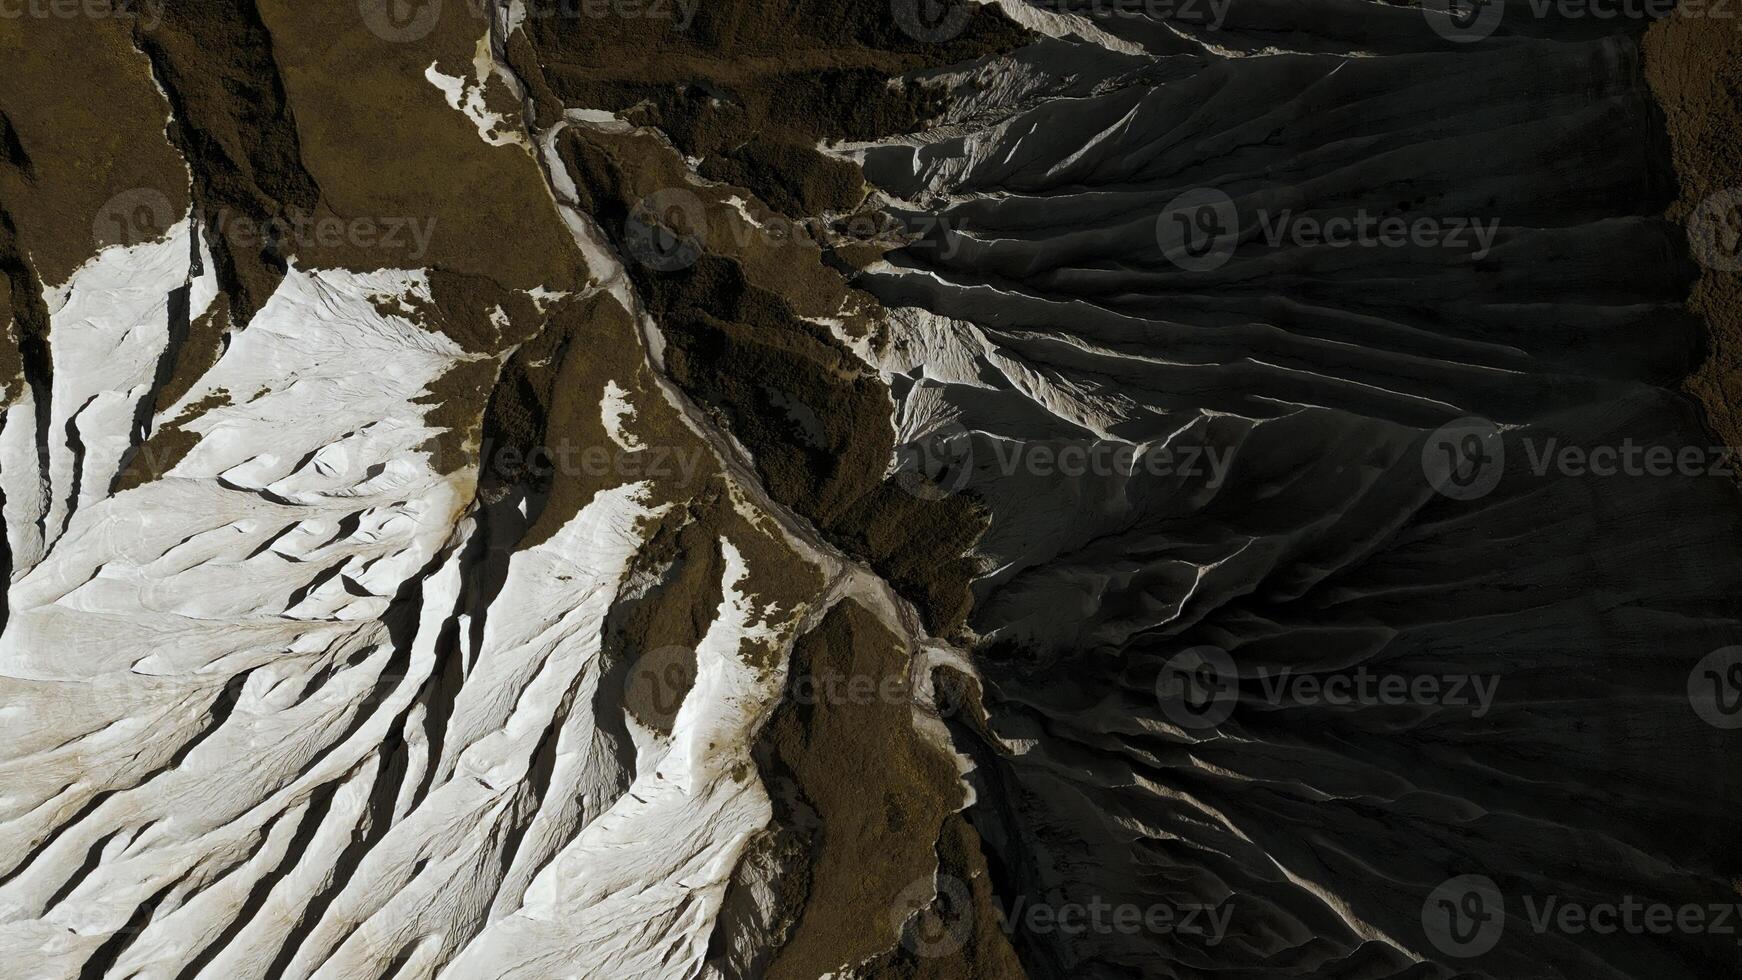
1584 601
